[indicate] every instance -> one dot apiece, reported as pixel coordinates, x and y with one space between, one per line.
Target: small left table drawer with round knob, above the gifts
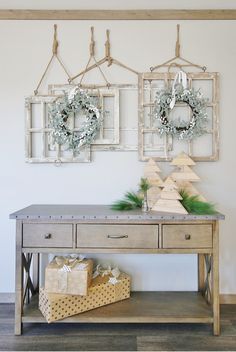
47 235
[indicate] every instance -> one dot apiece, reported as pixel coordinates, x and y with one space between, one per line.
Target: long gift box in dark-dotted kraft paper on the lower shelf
103 290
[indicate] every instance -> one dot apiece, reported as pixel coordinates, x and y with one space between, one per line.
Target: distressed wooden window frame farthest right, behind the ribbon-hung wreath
167 140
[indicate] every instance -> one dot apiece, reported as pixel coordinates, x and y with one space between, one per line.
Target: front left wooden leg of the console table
19 280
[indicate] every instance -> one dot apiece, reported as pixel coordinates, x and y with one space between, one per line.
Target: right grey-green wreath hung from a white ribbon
165 102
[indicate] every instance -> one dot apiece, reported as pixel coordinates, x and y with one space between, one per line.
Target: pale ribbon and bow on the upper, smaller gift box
65 265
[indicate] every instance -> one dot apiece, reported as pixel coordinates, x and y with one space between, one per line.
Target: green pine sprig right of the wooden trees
195 206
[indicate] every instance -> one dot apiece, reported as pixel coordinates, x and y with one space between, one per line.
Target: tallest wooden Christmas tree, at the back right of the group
184 175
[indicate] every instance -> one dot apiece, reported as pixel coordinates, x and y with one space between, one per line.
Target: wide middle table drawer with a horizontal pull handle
117 236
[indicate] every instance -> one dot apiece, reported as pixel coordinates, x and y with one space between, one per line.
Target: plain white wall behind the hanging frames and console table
25 47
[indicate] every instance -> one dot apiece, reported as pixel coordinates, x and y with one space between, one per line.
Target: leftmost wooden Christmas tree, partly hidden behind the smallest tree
151 173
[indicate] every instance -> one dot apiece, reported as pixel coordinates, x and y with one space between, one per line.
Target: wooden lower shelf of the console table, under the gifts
141 307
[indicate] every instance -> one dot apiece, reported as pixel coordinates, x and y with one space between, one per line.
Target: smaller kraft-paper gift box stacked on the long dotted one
68 275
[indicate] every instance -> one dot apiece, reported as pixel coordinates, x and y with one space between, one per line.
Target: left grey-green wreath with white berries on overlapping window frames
75 101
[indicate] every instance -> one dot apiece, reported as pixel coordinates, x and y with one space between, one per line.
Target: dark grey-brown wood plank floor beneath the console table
118 337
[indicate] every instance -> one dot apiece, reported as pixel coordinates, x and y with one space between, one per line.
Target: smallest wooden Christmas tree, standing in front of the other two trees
169 200
